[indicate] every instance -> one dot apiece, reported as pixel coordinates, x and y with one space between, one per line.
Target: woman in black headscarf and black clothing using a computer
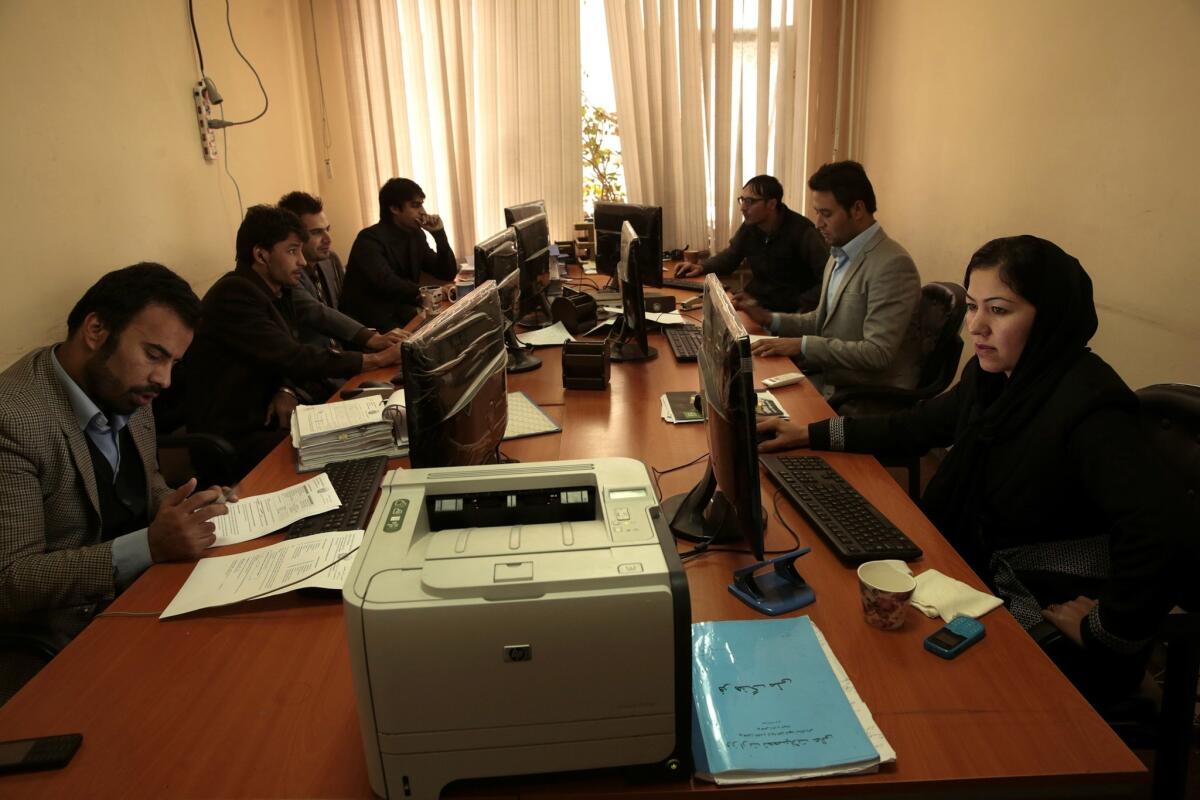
1049 491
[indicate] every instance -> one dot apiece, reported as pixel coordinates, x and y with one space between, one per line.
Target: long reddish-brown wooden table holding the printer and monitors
256 701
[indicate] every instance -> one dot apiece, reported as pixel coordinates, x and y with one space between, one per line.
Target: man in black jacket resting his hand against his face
383 275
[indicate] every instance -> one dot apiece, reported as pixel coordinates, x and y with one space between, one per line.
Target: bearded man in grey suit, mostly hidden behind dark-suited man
317 294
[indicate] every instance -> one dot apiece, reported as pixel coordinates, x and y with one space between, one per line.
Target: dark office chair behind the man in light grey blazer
939 321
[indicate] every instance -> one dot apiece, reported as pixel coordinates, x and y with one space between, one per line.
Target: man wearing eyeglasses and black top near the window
785 252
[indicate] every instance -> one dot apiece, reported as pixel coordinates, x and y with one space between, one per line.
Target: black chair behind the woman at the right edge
1171 416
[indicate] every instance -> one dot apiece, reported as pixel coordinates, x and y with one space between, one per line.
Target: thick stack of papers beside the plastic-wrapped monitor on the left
355 429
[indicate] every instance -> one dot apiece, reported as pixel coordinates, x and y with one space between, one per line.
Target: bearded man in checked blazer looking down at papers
83 509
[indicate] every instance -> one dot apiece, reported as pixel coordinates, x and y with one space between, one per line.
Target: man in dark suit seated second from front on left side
249 357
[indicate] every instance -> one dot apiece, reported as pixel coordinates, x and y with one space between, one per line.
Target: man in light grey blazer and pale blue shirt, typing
865 329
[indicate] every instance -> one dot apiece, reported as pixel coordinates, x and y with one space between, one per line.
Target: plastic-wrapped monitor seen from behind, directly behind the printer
457 399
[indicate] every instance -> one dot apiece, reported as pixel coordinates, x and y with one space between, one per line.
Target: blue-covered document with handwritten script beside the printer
772 703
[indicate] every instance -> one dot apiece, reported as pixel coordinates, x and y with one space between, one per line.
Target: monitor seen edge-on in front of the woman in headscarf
727 506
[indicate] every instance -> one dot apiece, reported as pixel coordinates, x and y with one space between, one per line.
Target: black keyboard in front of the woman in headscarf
855 528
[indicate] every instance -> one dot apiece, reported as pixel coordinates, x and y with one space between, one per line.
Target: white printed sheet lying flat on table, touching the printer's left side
310 562
